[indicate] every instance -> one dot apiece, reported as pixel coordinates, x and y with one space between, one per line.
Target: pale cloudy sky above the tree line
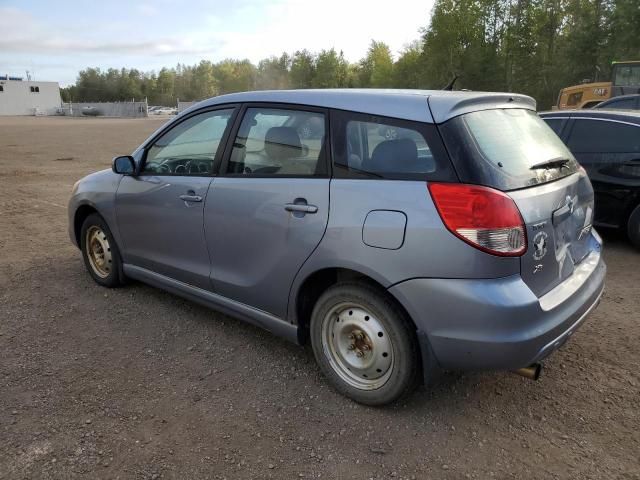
54 40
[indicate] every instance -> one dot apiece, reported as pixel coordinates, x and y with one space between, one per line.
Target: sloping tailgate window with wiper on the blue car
506 149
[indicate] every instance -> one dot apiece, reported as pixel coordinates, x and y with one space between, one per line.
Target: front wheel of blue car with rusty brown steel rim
100 252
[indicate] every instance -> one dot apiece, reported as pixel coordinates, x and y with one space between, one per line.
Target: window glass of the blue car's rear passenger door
279 142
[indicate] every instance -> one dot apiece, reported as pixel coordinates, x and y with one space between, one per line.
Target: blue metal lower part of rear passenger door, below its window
257 246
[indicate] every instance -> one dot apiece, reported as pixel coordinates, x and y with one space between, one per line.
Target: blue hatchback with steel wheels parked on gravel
466 244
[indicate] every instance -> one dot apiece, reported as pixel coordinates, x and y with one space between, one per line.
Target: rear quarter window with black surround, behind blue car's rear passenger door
379 147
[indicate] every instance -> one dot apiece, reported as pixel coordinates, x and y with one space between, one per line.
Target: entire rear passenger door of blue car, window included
268 210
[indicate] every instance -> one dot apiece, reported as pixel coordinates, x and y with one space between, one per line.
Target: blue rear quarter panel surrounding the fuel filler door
428 250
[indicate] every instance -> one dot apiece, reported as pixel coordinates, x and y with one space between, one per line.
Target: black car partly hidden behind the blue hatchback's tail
607 144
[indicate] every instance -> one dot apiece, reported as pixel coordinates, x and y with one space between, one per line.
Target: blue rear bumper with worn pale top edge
498 323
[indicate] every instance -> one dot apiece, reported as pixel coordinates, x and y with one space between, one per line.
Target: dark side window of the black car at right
598 136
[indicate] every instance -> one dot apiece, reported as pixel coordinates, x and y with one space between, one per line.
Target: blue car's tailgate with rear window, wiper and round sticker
513 150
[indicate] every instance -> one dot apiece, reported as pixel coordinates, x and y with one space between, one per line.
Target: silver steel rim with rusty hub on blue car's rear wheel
357 346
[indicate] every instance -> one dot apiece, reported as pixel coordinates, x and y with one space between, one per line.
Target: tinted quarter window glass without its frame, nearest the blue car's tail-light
383 148
